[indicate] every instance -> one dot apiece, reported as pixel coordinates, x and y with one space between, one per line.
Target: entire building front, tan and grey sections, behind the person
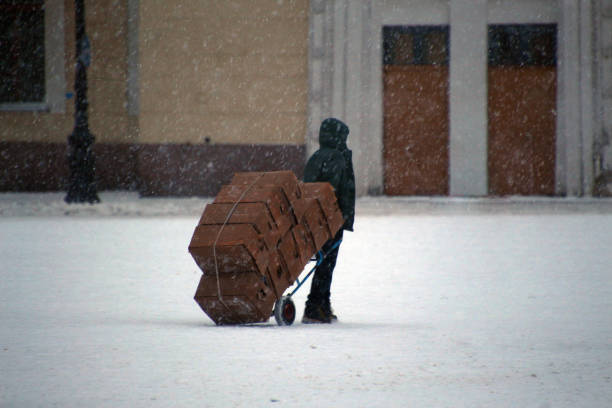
443 97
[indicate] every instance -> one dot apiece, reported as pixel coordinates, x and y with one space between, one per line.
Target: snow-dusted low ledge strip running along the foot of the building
130 204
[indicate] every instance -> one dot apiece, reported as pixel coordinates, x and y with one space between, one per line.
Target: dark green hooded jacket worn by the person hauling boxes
333 163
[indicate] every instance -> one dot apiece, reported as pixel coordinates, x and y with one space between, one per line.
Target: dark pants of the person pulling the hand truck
321 281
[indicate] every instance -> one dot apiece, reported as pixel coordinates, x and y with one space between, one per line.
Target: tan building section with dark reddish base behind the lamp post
182 94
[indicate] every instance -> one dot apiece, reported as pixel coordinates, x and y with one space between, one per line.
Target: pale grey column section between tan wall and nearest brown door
342 83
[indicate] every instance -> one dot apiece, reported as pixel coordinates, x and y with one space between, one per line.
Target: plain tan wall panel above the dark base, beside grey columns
223 71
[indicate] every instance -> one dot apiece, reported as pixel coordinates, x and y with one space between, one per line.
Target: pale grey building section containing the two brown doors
478 117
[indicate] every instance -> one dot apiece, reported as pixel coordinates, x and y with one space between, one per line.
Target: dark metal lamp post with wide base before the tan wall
81 160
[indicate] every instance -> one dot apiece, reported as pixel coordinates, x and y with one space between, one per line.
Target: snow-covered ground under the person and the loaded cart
442 303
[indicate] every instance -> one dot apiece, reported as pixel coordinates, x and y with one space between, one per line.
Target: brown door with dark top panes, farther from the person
521 110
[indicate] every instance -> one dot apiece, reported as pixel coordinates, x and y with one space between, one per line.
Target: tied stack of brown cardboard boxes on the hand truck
255 239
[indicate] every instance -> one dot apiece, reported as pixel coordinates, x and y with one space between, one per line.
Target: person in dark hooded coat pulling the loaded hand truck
333 163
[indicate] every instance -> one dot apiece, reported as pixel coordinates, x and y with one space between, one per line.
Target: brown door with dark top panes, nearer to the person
415 103
